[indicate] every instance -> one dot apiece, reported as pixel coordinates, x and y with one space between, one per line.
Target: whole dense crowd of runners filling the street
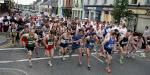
73 35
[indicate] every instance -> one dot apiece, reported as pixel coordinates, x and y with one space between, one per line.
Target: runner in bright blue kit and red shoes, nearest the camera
108 45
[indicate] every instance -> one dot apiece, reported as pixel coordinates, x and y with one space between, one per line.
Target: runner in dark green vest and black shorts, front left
30 45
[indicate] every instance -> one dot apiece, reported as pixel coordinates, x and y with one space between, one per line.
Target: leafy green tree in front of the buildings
120 10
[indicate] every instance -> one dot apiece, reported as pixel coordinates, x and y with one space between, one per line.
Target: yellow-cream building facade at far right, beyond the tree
141 9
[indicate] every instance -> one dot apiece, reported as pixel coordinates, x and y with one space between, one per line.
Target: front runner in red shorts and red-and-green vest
49 42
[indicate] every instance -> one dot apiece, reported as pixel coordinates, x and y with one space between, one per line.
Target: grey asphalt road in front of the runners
13 62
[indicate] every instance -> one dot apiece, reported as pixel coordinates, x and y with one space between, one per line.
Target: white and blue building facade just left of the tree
98 10
